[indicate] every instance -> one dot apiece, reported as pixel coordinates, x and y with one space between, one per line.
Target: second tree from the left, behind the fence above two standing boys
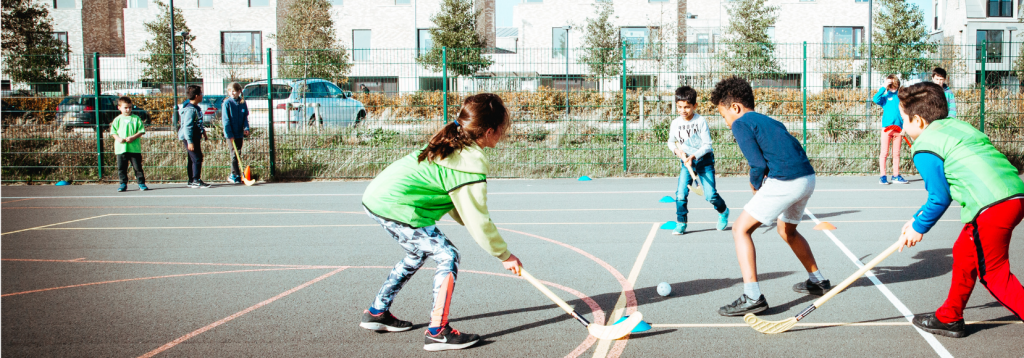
158 64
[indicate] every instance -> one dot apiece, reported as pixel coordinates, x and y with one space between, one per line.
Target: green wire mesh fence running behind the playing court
573 115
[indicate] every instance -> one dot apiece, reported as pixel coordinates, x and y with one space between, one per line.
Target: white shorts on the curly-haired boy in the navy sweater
785 200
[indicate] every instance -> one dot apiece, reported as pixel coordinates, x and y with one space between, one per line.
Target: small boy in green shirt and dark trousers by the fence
126 129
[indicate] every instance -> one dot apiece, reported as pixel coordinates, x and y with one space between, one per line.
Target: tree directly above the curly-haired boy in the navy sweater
749 51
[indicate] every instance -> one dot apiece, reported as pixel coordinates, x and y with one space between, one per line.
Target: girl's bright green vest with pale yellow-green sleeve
419 194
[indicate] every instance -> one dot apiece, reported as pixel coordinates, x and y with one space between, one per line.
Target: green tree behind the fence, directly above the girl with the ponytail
456 29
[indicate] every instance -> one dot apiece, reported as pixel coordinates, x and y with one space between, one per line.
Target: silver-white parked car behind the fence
297 103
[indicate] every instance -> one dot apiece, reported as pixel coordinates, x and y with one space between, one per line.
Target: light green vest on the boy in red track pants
979 175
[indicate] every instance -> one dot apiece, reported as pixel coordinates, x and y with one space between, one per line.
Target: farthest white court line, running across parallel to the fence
360 194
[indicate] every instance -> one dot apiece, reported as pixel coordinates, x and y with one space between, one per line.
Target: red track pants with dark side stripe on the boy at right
982 253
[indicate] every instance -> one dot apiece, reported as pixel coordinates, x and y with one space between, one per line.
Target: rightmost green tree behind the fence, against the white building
902 39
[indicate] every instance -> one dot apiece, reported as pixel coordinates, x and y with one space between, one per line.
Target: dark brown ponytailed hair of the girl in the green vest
479 114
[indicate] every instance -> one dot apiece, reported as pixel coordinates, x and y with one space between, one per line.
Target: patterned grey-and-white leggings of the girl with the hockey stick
419 244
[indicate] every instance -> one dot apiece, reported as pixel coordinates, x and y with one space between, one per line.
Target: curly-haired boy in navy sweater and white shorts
783 182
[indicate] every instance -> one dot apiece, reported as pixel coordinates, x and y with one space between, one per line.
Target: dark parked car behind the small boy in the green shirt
81 112
